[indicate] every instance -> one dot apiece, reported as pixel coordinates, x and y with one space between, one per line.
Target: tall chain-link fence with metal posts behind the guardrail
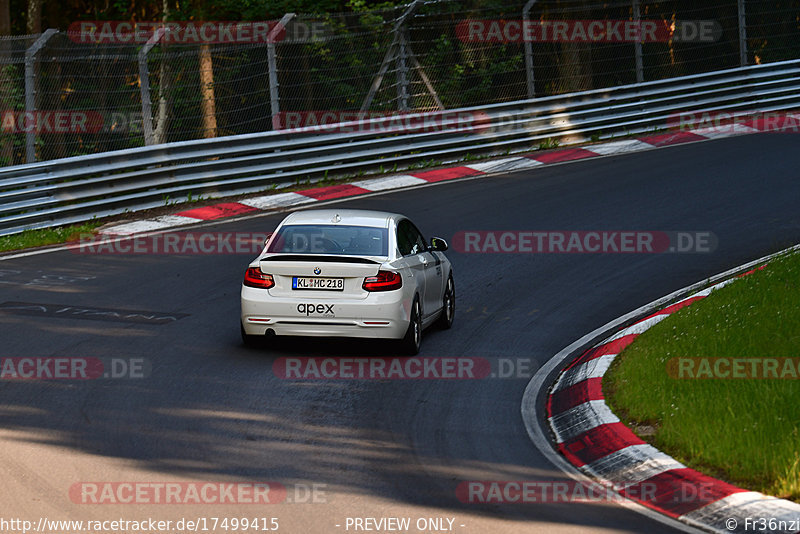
110 85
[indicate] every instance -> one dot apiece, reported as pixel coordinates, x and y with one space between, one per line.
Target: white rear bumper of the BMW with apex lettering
380 315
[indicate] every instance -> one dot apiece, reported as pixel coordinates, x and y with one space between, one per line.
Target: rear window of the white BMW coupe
331 239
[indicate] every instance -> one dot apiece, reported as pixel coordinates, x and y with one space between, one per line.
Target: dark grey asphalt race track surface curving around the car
212 410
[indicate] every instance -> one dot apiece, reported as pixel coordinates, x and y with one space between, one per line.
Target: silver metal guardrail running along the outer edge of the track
78 189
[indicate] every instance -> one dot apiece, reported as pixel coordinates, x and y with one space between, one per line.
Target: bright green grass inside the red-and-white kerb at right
745 431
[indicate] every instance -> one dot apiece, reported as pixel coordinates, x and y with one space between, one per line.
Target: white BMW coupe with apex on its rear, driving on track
349 273
